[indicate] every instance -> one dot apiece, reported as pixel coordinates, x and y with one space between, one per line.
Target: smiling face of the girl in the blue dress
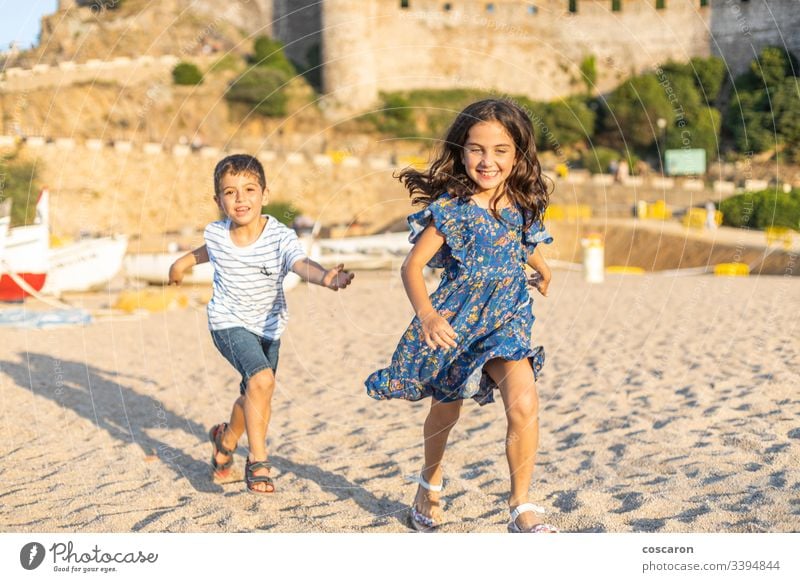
488 156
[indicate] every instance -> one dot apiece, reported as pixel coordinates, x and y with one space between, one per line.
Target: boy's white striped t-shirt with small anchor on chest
248 281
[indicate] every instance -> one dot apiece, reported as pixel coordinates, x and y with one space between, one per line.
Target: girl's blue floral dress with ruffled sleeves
483 295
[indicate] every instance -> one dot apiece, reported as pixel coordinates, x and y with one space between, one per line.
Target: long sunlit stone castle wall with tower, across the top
511 47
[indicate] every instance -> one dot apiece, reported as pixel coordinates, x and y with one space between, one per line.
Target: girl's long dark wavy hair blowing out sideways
525 184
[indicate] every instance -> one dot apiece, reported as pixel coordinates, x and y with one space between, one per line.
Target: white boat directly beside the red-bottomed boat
84 265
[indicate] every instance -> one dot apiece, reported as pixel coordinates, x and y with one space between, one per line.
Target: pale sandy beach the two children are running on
668 404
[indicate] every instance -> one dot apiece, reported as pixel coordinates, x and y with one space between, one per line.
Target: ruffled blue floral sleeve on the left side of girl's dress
443 214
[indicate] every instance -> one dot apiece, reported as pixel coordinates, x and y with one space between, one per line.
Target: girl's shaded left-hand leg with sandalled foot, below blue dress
441 419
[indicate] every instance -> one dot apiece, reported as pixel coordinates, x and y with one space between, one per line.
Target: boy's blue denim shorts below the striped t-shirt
247 352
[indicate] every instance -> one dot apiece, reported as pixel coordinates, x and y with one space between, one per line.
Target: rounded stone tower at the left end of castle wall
350 78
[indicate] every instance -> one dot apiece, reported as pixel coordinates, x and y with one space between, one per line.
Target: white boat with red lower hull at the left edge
26 254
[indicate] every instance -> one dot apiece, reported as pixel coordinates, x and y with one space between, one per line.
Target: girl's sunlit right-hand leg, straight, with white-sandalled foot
518 390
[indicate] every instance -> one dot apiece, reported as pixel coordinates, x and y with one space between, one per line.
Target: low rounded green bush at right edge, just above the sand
760 210
